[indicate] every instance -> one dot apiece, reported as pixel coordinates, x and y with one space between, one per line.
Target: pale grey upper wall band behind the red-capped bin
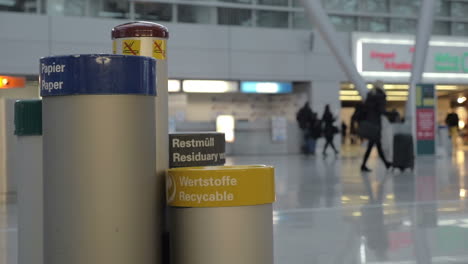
195 51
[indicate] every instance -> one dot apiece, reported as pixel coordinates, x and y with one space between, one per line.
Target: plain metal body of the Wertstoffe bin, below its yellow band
227 235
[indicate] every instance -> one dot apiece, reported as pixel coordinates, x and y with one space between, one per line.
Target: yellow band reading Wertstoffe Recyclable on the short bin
220 186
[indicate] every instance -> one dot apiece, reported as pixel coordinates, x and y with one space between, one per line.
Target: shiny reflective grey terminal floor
327 211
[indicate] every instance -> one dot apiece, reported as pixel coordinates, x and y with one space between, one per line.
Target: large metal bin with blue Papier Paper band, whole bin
99 168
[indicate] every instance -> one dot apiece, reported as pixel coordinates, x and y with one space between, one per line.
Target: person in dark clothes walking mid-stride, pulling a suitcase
371 124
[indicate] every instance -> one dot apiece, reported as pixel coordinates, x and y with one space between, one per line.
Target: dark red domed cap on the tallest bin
140 29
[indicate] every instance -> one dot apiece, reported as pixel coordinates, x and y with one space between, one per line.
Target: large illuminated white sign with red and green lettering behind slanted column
389 57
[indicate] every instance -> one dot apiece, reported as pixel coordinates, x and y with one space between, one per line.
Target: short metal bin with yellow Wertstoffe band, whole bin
221 214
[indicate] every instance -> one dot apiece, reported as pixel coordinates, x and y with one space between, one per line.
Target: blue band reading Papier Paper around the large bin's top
97 74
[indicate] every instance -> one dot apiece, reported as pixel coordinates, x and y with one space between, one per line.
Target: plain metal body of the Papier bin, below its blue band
99 179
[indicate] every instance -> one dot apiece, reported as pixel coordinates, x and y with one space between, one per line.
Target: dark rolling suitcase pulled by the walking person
403 152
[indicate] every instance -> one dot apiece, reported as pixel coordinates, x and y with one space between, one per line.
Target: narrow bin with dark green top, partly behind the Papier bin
26 168
